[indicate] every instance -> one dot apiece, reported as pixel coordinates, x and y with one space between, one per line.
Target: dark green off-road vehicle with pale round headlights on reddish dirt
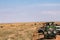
49 30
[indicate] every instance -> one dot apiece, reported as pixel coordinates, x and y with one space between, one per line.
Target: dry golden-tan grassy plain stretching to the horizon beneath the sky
20 31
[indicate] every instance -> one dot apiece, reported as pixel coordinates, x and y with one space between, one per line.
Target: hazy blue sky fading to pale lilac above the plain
29 10
